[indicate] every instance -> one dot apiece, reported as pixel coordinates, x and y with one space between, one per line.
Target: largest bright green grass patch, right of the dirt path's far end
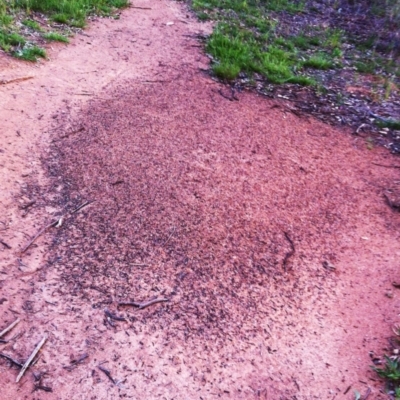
247 39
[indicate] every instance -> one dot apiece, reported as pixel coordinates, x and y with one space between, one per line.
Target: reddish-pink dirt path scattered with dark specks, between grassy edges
234 211
